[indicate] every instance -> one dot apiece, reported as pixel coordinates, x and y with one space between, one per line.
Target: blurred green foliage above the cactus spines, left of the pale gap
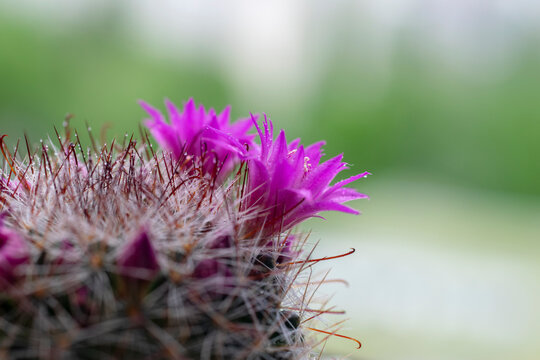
92 73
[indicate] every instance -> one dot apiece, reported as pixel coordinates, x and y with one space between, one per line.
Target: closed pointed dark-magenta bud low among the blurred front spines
138 260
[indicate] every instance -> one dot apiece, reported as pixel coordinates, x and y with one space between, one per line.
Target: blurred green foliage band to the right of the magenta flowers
451 127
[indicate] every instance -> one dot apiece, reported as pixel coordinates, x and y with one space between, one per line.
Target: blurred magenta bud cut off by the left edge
13 254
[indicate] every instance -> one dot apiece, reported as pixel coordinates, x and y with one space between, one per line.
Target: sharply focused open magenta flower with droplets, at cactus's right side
290 184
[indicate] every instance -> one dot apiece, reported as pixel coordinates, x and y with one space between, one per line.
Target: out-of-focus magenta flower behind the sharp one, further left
206 136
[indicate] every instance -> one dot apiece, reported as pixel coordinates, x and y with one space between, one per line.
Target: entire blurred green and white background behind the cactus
439 99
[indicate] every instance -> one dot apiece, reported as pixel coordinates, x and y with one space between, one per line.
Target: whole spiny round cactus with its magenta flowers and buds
185 253
